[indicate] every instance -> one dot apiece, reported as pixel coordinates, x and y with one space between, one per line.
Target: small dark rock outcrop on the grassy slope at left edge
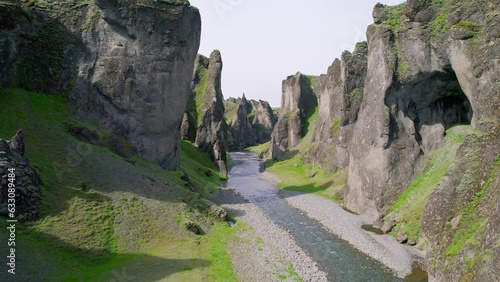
21 184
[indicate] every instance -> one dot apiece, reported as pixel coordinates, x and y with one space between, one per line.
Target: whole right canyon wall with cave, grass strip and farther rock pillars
412 114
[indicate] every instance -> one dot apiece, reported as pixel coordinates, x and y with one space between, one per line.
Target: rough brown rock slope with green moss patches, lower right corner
467 199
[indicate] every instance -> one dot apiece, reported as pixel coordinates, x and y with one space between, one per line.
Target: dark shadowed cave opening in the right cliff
434 102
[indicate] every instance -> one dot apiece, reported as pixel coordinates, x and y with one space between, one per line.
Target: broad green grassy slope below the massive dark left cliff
130 213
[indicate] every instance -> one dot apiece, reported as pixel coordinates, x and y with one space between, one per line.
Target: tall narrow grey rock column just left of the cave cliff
339 99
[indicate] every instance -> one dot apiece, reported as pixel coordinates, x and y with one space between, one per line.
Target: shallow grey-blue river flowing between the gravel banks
333 255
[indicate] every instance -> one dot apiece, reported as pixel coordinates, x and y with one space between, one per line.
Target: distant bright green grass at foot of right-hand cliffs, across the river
304 177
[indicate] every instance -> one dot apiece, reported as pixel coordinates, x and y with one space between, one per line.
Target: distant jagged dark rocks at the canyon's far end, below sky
251 122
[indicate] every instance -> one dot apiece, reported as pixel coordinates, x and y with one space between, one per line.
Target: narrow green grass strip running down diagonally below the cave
409 208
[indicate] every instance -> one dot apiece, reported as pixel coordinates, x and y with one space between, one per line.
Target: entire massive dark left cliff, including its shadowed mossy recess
126 64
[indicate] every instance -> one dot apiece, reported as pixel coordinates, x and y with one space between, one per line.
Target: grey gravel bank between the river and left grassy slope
266 253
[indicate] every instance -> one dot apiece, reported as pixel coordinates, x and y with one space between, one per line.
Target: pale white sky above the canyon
263 42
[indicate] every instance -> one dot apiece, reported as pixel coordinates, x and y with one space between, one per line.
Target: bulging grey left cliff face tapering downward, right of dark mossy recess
137 75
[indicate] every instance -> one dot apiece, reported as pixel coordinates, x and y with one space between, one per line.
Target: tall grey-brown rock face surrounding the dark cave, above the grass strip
418 84
